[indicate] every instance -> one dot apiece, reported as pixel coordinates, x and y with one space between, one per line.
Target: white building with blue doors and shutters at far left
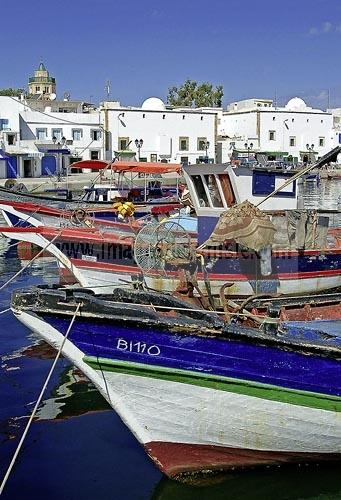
41 137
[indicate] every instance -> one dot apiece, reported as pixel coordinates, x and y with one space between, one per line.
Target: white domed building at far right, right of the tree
295 131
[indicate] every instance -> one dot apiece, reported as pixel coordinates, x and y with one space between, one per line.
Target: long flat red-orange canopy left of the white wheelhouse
129 166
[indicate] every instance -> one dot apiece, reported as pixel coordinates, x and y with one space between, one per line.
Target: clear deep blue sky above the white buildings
253 48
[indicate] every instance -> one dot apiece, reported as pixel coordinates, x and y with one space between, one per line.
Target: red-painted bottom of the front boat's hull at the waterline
178 458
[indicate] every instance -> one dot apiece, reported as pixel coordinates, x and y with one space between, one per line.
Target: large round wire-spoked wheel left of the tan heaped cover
162 247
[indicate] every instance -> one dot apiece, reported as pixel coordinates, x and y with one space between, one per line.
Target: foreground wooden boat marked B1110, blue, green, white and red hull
203 395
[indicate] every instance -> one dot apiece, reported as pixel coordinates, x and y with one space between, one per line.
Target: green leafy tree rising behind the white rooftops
192 94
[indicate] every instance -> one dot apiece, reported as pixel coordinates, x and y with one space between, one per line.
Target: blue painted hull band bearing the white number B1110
216 356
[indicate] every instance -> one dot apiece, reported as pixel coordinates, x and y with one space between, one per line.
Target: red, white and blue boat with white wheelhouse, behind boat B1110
302 256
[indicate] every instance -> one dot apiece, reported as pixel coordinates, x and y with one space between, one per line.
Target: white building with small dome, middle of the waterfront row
177 135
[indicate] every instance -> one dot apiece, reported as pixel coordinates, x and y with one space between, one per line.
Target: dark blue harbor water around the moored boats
78 448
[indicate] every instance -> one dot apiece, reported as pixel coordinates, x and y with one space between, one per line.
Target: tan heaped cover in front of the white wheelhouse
245 224
